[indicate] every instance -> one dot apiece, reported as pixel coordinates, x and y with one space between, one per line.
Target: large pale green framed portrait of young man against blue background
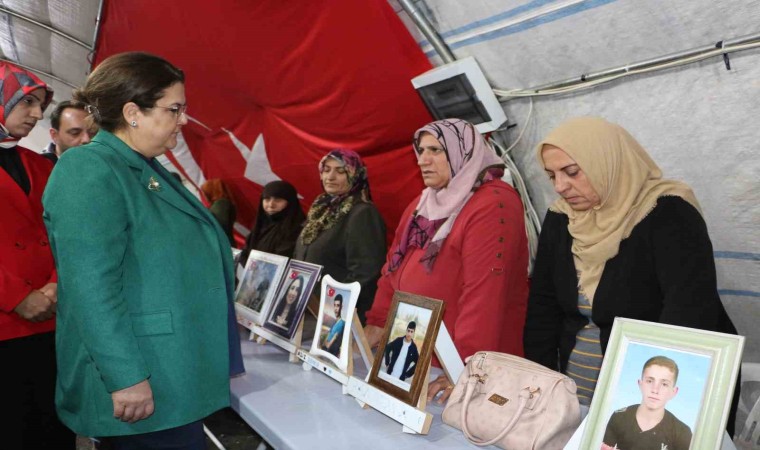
663 386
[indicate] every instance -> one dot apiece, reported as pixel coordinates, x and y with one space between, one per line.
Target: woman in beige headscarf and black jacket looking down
620 242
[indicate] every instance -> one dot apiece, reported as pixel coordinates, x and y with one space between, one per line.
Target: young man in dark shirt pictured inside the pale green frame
648 425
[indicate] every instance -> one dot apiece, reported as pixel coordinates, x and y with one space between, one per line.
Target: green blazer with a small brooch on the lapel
144 279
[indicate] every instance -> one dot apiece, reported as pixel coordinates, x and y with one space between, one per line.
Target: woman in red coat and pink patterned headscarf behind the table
462 241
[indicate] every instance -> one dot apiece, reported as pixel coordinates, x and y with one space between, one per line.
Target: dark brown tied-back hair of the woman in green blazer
127 77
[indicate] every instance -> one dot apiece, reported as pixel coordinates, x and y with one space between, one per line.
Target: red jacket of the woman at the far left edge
26 262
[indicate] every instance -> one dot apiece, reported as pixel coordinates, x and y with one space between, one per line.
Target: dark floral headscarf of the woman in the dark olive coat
327 210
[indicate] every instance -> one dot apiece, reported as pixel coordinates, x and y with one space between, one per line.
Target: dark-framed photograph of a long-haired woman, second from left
291 298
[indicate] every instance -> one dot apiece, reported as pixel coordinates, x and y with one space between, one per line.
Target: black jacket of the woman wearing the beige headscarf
664 272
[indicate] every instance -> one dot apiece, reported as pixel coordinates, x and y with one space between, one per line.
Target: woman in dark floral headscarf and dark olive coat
344 231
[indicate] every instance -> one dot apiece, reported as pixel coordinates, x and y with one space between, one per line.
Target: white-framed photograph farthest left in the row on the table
258 285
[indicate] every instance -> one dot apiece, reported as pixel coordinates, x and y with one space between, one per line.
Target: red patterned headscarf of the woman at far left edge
15 83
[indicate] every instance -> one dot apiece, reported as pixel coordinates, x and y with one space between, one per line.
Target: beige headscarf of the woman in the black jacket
628 183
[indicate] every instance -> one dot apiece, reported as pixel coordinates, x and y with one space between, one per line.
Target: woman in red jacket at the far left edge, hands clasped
27 273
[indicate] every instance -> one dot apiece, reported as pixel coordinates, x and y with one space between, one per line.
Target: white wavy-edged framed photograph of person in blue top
336 313
